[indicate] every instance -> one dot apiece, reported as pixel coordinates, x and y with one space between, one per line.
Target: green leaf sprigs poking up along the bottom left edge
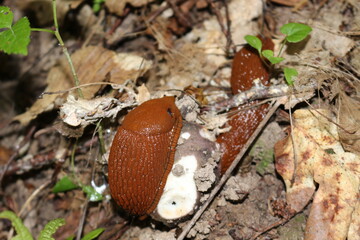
46 234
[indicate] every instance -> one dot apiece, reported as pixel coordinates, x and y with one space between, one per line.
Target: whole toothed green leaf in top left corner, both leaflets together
16 38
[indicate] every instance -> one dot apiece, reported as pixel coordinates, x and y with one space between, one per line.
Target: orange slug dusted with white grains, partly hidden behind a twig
247 66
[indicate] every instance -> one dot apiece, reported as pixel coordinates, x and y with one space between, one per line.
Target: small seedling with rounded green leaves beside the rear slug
294 32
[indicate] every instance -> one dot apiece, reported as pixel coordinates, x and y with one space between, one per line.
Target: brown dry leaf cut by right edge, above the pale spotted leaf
349 119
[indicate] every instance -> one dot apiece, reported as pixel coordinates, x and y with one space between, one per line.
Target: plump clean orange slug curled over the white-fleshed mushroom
142 155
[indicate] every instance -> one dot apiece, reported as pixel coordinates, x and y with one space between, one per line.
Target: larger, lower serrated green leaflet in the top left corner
16 39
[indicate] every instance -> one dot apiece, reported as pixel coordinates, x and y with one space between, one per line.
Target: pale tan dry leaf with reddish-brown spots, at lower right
318 158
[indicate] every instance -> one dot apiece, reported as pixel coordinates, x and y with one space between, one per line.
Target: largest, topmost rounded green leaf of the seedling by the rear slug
295 32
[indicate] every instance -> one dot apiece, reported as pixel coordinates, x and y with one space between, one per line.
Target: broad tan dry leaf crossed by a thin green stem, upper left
93 64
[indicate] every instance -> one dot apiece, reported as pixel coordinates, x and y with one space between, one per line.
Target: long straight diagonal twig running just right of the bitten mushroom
228 172
